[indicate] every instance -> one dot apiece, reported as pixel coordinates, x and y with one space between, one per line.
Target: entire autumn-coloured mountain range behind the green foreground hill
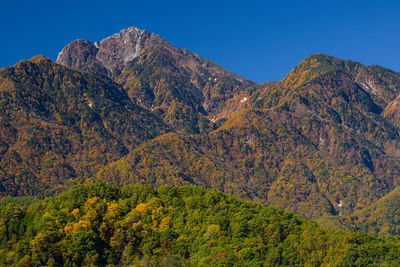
323 142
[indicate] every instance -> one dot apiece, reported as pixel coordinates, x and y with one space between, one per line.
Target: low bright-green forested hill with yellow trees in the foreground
101 225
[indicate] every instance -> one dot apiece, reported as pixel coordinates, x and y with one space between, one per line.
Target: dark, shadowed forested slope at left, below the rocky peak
57 124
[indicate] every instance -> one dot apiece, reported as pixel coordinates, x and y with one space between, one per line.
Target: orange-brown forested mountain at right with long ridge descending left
315 143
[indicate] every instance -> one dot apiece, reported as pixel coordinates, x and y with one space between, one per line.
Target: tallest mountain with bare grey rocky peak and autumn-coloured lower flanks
182 87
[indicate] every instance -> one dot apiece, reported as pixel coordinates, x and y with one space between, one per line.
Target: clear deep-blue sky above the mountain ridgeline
261 40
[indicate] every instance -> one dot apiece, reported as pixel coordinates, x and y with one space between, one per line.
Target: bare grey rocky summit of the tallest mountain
113 53
